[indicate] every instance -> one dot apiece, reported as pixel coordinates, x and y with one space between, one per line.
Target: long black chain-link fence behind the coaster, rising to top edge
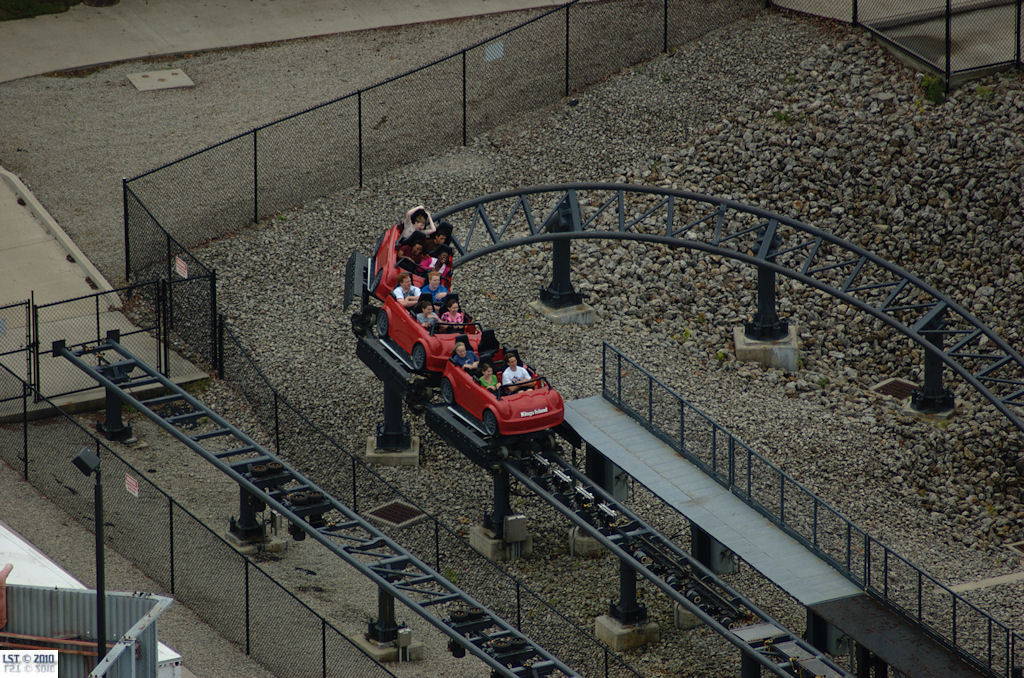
347 141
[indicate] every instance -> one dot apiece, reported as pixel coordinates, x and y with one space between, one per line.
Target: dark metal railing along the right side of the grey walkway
955 622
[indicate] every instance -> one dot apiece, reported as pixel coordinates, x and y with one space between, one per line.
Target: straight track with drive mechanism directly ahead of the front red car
651 555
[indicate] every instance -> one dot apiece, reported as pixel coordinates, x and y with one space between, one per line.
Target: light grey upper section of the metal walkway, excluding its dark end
705 502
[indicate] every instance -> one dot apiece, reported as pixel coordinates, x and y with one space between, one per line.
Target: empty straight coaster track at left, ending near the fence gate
362 545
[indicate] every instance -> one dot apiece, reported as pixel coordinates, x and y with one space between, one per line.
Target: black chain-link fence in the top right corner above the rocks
953 38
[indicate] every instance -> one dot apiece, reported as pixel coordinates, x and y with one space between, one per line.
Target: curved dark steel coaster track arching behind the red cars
726 228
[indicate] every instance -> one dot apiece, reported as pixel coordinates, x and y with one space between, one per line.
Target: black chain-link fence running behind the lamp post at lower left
175 548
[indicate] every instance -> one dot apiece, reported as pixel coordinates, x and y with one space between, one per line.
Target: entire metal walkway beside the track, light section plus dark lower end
766 548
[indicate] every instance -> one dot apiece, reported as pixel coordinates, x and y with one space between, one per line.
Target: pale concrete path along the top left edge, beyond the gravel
133 29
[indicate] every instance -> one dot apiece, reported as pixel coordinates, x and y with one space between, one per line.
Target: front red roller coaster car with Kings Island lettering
526 411
